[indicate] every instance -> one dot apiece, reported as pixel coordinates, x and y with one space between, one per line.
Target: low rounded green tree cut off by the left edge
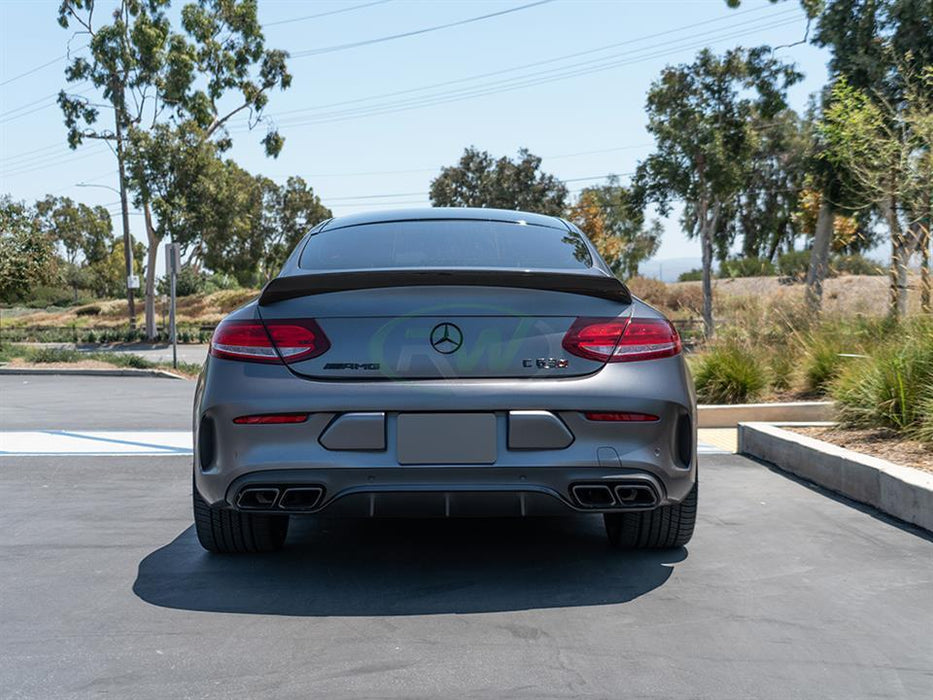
27 255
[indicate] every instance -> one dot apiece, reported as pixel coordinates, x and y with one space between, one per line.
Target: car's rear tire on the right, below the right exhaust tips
662 528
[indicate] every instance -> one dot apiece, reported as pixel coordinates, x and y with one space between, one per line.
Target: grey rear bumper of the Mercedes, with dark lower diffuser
230 457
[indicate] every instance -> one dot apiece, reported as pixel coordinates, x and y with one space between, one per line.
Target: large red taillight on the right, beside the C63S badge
622 340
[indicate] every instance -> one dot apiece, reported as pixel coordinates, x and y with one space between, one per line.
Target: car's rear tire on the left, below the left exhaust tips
226 531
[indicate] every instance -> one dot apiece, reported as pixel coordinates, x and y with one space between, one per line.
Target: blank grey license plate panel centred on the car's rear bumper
447 438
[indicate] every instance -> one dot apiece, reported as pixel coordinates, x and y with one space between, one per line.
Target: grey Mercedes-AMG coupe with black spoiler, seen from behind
444 363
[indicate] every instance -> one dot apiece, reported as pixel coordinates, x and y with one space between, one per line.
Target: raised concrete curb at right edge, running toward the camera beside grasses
905 493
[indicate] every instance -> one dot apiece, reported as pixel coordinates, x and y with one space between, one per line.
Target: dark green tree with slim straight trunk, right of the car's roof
702 116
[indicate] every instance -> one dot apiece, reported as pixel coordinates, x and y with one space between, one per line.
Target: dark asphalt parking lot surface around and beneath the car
785 591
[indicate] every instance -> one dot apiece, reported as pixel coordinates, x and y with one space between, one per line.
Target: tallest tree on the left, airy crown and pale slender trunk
152 75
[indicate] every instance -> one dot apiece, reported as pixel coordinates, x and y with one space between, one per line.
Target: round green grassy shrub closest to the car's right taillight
729 373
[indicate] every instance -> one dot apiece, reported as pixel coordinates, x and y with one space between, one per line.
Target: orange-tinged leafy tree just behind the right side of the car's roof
608 215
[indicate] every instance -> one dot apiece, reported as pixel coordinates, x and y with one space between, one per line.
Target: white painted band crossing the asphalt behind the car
137 443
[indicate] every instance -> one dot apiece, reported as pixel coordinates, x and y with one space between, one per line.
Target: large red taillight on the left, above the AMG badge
290 340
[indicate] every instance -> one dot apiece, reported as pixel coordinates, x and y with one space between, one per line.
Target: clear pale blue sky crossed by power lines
364 127
